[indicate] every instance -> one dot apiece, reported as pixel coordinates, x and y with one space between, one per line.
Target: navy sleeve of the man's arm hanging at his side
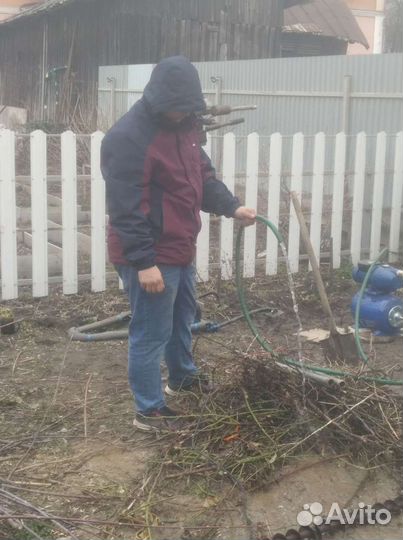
127 179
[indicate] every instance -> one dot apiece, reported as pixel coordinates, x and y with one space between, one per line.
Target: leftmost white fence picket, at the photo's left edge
8 219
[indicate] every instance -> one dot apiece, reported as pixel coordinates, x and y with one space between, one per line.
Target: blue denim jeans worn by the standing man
160 328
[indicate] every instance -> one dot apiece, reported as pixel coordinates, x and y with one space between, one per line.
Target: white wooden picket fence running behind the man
273 182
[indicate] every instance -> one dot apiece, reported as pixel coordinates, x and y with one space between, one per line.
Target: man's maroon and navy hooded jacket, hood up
157 176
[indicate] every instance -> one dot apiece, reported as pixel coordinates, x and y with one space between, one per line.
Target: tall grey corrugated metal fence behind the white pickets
306 95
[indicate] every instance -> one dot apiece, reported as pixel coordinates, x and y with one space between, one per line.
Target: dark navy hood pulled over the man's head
174 86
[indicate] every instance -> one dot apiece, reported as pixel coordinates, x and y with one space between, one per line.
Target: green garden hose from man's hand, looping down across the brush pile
264 343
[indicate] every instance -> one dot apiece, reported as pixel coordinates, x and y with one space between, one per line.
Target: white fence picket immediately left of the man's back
98 244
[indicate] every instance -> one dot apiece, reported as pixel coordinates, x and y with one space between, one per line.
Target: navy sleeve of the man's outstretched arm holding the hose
217 199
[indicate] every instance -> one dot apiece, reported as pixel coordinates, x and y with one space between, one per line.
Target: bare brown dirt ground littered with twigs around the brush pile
67 444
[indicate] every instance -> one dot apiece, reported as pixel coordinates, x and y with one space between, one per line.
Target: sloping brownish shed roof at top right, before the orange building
331 18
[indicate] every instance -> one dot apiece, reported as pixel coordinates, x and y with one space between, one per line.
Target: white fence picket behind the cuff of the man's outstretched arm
227 225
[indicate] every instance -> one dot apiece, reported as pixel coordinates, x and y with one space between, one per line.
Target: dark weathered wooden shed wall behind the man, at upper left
50 54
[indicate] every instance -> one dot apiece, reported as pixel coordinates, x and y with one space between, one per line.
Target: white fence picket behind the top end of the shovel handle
296 185
